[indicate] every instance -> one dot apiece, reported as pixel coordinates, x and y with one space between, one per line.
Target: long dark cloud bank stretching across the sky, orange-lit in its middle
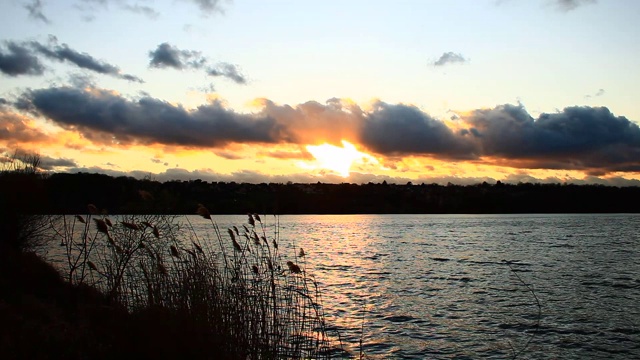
588 139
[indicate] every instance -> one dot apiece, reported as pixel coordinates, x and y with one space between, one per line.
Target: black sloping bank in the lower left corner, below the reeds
44 317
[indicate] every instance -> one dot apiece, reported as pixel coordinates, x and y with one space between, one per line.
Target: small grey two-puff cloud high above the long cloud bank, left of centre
169 56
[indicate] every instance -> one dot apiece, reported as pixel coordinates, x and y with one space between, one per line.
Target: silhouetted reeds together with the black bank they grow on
148 286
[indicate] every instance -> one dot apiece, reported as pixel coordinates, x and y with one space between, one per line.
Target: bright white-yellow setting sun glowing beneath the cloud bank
334 158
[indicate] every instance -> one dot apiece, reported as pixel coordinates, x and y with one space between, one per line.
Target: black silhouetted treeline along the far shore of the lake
70 193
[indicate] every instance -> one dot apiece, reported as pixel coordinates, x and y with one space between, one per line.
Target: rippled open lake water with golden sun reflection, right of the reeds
436 286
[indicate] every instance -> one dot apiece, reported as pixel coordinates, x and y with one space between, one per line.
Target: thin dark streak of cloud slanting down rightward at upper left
83 60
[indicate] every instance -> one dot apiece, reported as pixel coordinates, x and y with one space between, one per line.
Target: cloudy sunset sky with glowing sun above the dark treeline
421 91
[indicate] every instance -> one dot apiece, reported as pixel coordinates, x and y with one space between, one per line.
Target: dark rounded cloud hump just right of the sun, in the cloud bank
403 129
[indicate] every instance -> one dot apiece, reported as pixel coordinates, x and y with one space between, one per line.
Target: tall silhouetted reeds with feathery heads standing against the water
235 297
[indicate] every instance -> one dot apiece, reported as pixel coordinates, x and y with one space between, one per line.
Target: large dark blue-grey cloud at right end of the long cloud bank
577 138
